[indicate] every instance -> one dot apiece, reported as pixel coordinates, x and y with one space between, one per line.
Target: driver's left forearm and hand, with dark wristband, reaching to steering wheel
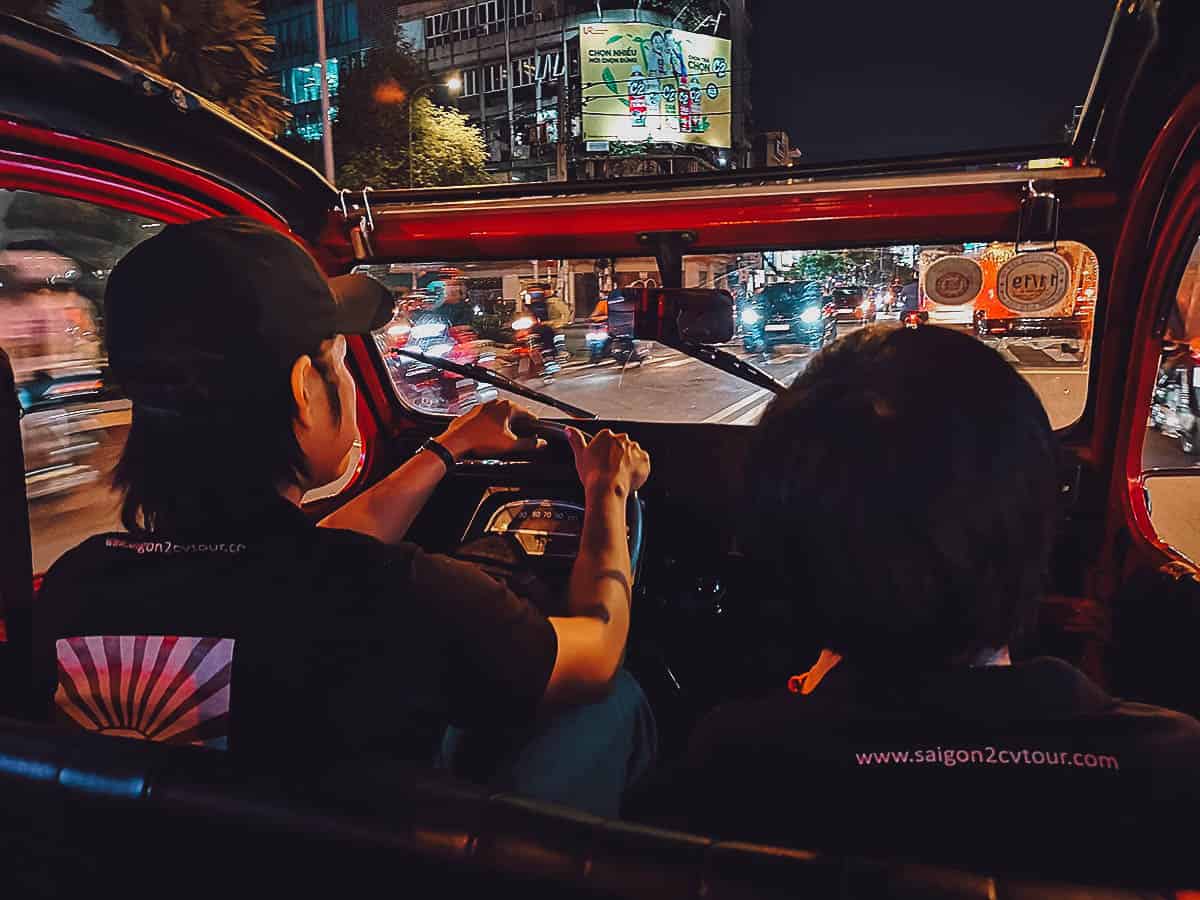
387 511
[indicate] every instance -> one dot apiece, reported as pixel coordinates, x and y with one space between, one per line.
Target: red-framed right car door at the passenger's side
1150 566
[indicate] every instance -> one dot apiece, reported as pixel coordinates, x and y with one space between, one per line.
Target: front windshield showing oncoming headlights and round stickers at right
543 323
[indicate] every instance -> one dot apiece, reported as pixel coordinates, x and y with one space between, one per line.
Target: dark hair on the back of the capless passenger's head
905 494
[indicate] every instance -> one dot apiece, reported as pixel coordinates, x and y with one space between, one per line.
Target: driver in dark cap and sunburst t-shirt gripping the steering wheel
223 617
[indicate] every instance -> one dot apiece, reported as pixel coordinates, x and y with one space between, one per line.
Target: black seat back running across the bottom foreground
79 811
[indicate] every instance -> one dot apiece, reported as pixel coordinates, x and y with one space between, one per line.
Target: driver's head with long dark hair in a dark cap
229 340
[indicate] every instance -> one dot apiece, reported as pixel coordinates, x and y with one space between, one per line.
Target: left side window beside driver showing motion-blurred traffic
56 256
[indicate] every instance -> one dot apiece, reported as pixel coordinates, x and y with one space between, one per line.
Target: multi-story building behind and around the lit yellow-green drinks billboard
519 63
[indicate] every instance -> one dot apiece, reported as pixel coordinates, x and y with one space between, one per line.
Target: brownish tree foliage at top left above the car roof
217 49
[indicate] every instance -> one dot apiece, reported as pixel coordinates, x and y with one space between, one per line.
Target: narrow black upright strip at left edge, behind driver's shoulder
16 557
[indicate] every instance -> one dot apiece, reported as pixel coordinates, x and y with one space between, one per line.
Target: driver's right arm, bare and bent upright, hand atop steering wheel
592 638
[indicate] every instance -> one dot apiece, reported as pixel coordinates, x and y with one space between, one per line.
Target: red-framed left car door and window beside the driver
77 191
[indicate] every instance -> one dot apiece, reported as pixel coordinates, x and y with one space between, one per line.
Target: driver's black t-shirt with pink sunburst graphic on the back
277 637
